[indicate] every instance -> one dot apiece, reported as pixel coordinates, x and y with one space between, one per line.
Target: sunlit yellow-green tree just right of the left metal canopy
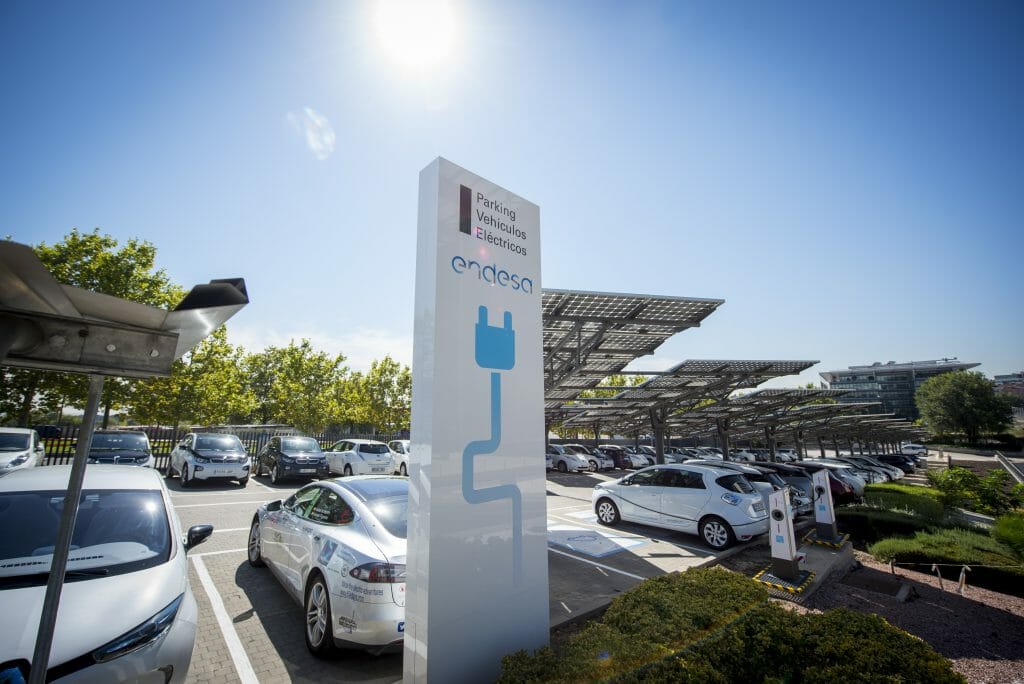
206 388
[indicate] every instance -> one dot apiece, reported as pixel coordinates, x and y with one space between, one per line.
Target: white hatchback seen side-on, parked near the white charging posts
718 504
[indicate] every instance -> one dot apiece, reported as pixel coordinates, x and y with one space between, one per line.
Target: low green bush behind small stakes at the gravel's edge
994 566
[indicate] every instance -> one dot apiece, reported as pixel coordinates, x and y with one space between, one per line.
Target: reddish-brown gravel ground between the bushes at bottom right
983 632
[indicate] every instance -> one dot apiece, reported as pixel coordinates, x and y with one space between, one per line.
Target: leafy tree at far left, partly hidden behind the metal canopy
94 262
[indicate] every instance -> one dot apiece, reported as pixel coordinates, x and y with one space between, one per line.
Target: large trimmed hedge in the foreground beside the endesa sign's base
713 626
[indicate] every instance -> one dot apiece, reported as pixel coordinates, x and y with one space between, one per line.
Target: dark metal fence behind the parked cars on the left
61 450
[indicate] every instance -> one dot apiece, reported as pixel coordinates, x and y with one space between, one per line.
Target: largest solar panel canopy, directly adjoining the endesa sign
591 335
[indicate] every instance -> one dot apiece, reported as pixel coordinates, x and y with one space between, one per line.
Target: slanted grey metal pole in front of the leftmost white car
62 549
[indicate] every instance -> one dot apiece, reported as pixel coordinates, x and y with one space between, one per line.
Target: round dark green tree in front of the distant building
963 402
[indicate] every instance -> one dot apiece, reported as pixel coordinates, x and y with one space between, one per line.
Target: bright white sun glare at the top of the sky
417 34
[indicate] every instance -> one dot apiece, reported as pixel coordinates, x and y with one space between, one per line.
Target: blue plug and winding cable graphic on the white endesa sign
496 352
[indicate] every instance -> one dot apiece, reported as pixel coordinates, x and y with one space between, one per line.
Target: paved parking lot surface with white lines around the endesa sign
251 631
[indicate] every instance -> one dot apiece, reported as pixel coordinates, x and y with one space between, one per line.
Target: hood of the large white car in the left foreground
93 613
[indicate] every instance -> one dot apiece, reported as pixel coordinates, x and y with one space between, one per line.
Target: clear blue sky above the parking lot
847 177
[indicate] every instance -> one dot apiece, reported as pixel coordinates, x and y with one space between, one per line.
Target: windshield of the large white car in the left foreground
117 532
